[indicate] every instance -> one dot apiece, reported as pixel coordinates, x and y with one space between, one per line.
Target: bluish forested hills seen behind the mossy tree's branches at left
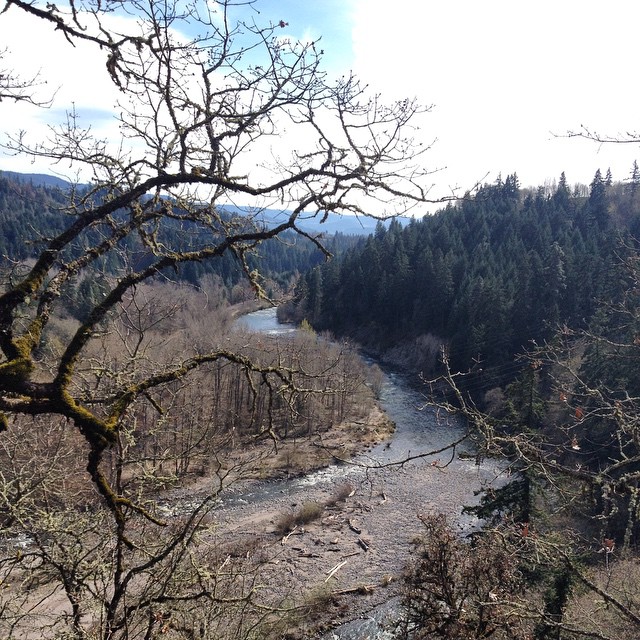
30 214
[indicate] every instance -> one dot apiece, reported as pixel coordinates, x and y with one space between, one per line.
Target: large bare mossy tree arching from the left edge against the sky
192 111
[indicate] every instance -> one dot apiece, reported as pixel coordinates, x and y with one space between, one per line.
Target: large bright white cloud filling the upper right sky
505 77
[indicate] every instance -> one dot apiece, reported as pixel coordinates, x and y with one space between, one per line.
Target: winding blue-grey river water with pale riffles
420 429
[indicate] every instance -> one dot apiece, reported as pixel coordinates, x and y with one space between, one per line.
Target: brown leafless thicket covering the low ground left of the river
215 428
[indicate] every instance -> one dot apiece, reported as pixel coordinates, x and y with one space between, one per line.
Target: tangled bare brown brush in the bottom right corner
515 582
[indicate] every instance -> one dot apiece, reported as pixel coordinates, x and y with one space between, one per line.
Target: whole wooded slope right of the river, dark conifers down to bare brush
523 307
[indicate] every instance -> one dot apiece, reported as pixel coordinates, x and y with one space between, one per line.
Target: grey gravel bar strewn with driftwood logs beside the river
350 556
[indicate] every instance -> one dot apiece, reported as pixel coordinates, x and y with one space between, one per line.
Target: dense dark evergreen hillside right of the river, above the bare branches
484 277
